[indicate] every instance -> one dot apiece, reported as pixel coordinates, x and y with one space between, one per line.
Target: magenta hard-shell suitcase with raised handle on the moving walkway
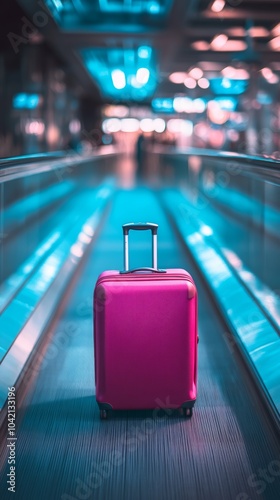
145 336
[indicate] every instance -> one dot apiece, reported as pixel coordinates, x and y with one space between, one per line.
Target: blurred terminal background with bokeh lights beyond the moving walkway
80 73
